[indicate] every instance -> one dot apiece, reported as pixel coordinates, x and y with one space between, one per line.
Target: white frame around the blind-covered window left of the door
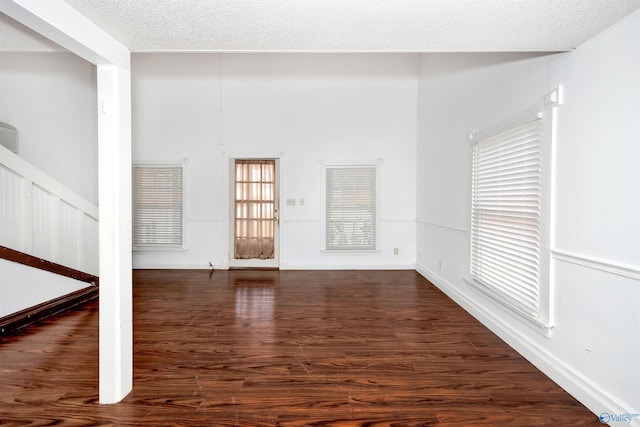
183 246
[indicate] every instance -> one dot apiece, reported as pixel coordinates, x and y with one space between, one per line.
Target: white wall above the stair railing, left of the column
51 99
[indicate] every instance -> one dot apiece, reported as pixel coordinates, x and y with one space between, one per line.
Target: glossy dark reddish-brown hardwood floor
267 348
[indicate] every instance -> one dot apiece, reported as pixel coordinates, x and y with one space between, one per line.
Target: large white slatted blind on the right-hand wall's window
506 214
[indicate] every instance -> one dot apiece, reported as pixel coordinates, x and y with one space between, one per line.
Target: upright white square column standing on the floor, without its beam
114 164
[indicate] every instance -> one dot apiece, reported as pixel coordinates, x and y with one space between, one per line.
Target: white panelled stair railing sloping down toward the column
41 217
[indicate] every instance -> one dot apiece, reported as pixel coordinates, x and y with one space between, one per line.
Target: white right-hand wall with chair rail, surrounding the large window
593 352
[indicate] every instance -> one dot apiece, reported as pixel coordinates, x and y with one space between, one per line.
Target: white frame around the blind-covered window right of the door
324 221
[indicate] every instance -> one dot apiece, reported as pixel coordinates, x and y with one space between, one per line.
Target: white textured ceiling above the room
352 25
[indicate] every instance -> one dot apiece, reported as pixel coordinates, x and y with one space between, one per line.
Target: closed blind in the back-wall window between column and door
157 206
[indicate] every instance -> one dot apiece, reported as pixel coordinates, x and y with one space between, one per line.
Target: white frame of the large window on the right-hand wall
542 318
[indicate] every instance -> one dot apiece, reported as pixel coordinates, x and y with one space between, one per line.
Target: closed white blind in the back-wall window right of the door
351 222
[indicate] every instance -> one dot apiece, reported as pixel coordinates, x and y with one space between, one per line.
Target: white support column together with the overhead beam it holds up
59 22
